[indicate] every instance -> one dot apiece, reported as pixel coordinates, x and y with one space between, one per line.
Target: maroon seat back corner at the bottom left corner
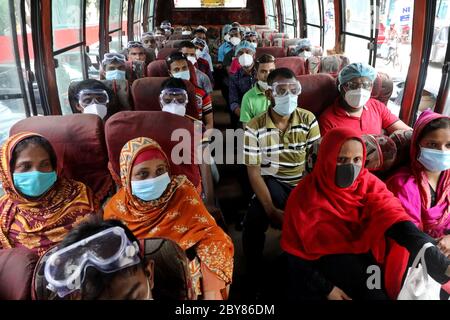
16 273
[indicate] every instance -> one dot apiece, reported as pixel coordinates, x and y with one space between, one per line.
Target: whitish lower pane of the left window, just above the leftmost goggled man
69 69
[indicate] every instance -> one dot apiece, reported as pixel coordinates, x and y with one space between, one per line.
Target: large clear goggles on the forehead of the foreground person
107 251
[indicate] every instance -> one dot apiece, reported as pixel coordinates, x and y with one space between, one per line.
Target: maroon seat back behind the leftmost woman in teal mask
79 143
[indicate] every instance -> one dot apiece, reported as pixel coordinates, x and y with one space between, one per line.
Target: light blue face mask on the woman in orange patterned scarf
150 189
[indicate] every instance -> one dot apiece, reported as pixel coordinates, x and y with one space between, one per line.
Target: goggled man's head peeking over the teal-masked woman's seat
93 97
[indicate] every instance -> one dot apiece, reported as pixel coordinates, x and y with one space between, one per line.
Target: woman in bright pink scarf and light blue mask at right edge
424 187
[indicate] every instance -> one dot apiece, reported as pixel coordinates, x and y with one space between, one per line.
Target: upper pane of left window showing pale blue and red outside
66 27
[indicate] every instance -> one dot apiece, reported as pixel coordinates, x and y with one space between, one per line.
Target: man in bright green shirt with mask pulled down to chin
255 101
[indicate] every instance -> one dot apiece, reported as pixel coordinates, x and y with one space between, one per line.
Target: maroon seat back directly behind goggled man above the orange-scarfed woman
146 93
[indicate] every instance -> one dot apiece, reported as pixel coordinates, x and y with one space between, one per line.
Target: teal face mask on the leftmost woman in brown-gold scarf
34 183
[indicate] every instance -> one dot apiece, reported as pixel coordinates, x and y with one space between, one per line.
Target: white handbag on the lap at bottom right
418 284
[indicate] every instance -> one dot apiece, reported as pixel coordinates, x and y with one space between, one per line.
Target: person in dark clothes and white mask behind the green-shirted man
244 79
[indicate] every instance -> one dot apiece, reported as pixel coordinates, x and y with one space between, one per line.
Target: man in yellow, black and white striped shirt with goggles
275 145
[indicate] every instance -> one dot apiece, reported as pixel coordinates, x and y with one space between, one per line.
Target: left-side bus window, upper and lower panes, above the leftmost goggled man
66 34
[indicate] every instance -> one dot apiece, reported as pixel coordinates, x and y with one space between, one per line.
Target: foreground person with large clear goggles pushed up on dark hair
126 275
